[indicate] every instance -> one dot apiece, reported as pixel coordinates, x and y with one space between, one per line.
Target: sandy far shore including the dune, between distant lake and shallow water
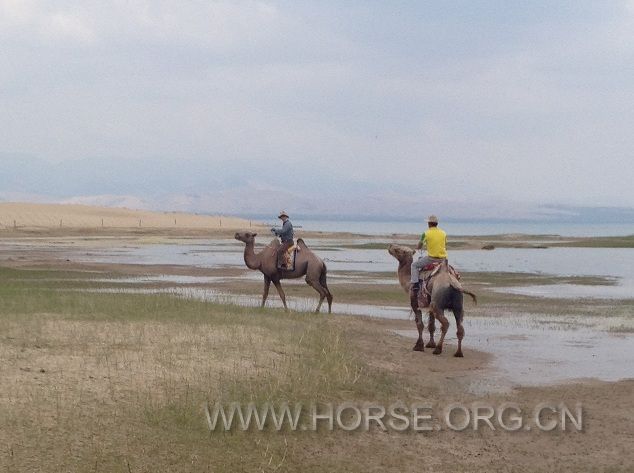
19 220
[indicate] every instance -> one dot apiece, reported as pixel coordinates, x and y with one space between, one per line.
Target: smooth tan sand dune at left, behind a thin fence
28 215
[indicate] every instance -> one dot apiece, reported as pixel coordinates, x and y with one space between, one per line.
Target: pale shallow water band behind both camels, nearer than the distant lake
616 264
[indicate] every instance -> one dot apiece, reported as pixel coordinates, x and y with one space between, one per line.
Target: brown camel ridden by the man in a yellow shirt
446 293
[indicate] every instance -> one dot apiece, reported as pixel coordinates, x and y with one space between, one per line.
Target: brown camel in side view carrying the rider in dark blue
307 264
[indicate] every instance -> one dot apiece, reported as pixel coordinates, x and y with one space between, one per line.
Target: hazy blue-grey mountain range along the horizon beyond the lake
256 192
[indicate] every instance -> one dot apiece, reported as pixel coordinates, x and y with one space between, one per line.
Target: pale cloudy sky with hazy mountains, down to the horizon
466 108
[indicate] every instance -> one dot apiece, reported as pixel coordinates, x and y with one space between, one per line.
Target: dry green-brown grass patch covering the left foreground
117 382
